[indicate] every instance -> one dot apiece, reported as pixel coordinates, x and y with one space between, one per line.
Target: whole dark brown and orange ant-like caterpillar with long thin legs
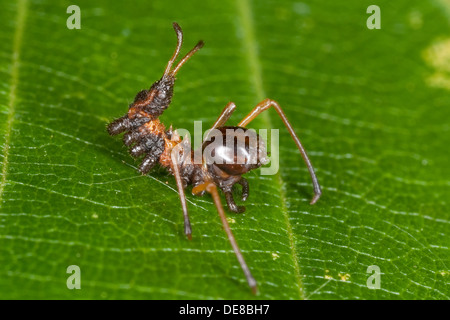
148 138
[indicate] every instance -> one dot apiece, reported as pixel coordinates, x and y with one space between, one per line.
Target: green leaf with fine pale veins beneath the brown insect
371 108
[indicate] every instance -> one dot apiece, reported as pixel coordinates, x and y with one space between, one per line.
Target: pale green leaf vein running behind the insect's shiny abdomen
249 43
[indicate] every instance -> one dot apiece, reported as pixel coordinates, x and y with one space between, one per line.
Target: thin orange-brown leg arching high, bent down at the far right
263 106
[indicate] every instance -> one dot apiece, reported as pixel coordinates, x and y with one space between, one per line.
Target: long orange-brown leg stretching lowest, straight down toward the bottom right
212 189
